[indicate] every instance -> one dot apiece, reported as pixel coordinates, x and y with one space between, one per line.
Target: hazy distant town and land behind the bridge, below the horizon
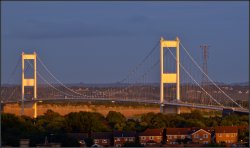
238 91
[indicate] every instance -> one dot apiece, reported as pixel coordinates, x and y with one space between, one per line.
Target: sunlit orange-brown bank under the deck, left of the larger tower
63 108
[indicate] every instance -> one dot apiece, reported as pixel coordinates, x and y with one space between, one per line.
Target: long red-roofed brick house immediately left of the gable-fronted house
178 135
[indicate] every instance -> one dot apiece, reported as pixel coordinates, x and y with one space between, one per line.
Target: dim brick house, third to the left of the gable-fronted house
120 137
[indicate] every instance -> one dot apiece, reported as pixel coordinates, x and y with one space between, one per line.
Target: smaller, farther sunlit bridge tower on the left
30 81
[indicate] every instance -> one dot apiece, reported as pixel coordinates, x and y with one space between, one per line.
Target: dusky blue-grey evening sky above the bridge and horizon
99 42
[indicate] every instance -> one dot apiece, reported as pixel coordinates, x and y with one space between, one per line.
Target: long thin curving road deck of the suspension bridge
147 101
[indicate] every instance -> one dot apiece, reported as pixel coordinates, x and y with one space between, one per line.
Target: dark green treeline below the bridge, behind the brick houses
55 126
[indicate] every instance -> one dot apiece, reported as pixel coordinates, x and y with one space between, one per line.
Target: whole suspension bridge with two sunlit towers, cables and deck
179 83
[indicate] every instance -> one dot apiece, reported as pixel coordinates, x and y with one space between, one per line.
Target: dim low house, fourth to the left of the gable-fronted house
103 139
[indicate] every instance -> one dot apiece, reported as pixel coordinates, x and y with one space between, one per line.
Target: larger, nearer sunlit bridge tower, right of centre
168 78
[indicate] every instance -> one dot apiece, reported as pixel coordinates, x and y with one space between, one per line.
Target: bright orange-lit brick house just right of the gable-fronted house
227 134
